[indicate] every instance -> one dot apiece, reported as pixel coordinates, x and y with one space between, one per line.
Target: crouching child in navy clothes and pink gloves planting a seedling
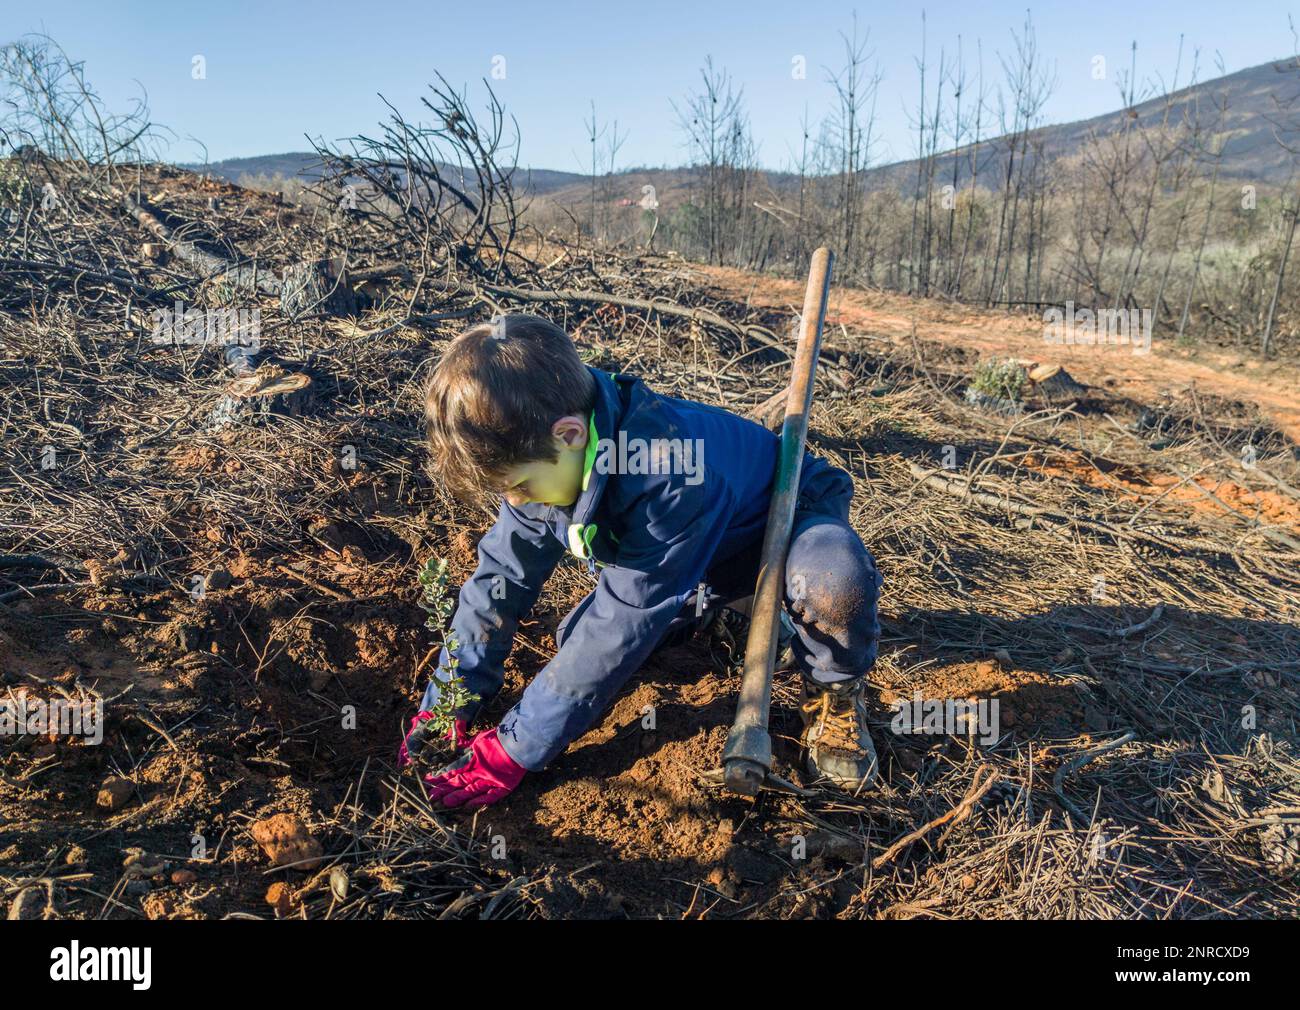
666 501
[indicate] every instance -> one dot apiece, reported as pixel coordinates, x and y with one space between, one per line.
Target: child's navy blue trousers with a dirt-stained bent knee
831 587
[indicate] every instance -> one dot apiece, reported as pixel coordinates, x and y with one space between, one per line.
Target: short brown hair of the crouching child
495 396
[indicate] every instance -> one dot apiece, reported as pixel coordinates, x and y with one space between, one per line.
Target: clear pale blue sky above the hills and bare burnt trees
279 71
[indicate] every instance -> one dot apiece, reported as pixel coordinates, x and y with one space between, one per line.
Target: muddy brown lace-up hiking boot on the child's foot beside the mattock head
837 734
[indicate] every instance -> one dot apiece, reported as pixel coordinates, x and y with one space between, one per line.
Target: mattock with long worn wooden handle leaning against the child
748 756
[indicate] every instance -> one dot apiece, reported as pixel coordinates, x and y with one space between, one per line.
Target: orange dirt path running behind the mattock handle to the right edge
1143 378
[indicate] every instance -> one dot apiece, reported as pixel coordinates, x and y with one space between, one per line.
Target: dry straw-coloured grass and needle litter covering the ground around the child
1175 627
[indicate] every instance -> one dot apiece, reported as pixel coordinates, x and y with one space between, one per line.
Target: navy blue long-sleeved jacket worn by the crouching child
652 536
